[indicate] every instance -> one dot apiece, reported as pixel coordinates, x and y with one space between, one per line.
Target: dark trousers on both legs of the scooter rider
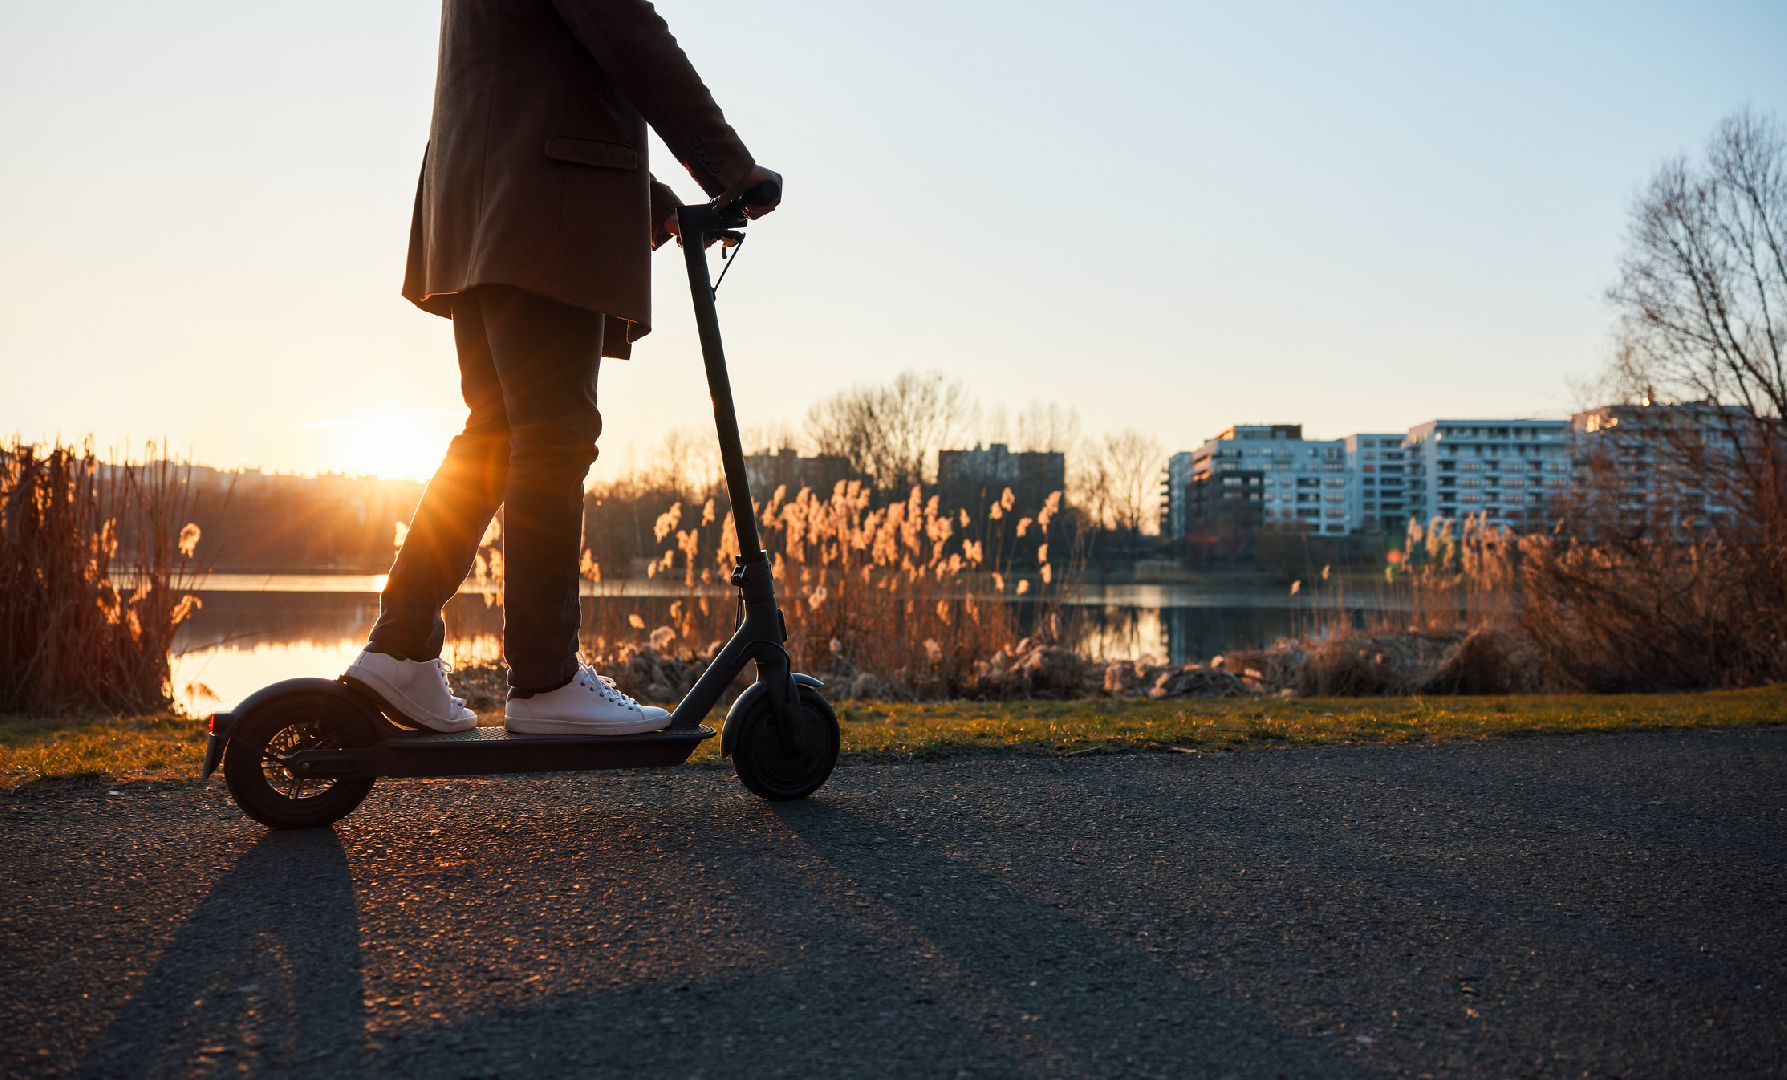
528 371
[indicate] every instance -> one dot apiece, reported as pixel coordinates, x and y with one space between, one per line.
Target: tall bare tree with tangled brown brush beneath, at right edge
1672 564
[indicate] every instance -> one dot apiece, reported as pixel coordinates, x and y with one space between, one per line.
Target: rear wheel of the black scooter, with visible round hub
271 793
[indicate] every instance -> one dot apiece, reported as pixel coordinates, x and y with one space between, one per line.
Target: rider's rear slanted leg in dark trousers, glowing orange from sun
457 507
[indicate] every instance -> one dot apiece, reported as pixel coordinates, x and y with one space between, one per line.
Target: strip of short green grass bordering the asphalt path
172 750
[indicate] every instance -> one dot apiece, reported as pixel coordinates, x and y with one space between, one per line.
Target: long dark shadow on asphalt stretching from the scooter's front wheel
1037 977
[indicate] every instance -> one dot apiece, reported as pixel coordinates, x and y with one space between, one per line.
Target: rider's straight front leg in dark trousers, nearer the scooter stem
548 359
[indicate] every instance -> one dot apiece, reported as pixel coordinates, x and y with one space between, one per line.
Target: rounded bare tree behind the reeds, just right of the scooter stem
893 432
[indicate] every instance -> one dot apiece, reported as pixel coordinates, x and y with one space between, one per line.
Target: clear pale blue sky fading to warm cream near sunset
1170 217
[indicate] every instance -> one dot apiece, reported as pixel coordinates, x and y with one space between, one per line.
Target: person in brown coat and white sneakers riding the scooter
533 230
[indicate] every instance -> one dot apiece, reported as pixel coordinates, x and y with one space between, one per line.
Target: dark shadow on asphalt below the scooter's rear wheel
265 975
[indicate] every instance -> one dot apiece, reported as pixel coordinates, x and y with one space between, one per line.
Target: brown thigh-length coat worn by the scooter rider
535 173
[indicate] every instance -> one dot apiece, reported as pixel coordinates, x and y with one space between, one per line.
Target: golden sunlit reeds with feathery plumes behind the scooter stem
909 595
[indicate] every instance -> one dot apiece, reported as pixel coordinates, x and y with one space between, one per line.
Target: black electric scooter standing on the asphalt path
303 754
